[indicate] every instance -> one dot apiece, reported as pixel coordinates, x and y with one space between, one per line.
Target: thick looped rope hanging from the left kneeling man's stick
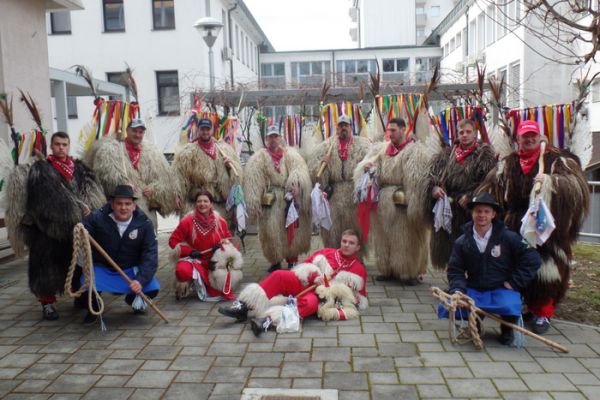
81 247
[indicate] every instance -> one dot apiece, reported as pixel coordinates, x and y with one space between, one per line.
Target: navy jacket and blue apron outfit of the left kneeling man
131 244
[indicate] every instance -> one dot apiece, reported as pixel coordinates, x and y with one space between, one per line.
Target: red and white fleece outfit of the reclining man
267 298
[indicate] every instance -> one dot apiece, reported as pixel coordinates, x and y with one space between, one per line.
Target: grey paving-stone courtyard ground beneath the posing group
396 350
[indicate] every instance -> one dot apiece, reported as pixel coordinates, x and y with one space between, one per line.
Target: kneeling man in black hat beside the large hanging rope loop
127 235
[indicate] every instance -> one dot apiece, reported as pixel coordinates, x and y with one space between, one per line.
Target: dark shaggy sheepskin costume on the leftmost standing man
43 207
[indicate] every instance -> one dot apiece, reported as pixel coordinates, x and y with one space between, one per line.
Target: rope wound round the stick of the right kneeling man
460 302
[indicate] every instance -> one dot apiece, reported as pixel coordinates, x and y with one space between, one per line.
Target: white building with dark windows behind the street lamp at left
168 55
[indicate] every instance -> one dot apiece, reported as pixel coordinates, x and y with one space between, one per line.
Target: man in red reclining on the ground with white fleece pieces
340 290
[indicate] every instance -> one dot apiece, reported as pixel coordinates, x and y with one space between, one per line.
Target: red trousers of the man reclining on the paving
285 282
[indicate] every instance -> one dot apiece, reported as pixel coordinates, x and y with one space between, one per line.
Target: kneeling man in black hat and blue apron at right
492 264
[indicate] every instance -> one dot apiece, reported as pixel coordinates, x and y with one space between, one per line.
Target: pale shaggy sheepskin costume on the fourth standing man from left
262 177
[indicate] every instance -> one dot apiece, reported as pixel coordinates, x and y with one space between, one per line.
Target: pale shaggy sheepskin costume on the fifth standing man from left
338 176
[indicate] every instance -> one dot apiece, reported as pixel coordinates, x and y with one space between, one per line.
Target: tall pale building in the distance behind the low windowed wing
396 22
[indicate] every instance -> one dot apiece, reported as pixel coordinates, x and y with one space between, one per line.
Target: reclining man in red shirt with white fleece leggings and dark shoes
337 265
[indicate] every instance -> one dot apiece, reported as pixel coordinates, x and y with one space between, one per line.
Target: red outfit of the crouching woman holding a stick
196 240
